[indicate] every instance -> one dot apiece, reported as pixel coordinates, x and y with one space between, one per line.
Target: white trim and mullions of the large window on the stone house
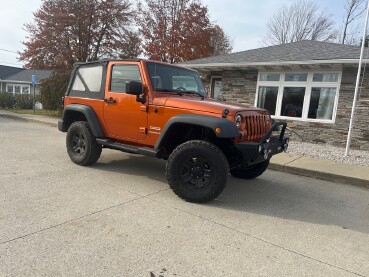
308 86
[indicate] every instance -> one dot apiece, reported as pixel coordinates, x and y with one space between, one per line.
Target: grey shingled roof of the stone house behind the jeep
306 50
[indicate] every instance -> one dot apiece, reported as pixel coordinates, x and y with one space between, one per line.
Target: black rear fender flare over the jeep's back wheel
78 112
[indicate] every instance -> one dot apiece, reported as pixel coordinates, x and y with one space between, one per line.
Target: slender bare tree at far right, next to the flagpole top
353 10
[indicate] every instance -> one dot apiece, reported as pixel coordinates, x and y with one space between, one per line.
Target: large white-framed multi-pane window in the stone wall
306 96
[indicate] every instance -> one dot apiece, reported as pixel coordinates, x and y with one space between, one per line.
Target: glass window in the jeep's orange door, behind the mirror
121 74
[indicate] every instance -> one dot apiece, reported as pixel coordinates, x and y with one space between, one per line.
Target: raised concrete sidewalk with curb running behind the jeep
354 175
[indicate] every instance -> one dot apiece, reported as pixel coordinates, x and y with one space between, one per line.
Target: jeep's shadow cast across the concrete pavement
274 194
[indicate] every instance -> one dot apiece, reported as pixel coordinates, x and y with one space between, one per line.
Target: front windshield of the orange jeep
168 78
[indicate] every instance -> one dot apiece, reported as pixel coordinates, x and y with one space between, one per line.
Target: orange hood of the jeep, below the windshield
206 105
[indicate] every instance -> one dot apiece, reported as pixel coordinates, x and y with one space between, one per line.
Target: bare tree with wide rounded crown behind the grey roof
300 21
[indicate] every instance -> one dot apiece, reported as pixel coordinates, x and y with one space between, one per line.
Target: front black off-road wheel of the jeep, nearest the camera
197 171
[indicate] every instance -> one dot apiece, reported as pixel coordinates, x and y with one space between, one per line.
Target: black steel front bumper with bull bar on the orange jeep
256 152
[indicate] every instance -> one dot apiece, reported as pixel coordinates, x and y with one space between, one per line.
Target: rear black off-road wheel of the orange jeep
81 144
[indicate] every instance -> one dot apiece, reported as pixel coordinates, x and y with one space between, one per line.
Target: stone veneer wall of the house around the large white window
240 86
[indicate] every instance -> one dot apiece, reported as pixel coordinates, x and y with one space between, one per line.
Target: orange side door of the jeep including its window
125 118
